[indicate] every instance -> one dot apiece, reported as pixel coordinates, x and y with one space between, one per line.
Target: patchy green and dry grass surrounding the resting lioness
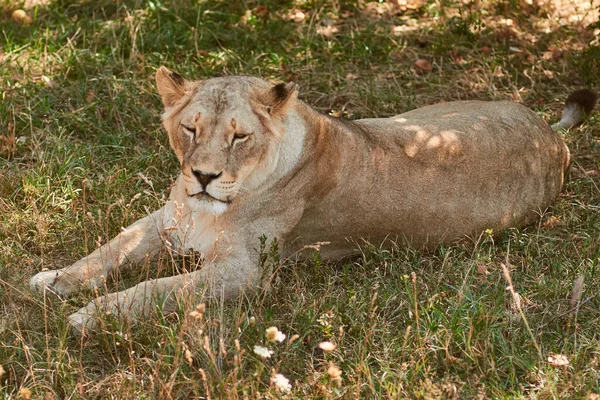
82 153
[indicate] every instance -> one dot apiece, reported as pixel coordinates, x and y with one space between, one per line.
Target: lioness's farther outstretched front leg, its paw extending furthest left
134 244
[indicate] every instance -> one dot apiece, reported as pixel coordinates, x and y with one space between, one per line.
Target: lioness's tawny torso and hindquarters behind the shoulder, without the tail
438 174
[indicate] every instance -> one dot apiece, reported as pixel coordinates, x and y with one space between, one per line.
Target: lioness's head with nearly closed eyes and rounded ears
226 133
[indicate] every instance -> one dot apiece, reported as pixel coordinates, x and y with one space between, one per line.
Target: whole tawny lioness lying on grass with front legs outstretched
257 161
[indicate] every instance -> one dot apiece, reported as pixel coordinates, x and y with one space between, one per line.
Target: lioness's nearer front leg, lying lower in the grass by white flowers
226 278
